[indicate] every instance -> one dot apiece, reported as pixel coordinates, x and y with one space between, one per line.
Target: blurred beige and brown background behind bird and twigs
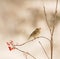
18 19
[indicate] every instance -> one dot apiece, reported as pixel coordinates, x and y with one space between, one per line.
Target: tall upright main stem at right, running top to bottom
53 30
